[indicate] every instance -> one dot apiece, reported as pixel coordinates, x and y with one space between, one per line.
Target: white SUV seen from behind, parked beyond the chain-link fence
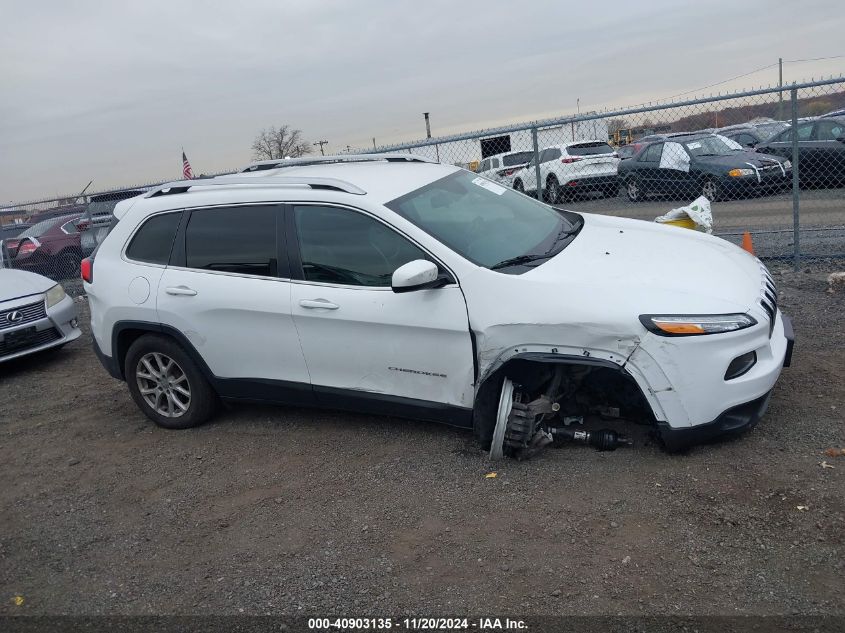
571 169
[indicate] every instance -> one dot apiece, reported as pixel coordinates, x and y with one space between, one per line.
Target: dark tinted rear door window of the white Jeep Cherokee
239 240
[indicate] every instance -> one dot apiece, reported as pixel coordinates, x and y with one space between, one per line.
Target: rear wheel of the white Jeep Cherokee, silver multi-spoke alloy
166 384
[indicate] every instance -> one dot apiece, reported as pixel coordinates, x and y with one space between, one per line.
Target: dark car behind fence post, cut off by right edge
821 150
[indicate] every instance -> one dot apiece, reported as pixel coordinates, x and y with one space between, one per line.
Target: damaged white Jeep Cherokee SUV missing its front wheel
390 284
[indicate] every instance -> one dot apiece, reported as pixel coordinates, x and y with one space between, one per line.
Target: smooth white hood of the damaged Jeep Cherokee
613 271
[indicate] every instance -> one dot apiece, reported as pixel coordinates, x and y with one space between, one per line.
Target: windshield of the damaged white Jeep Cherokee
486 223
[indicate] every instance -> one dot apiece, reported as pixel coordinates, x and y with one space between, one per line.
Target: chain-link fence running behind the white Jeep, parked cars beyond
770 162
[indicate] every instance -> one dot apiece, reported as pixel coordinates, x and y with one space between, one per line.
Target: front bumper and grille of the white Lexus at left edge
58 325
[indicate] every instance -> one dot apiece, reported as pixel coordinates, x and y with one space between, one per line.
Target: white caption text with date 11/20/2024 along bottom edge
416 624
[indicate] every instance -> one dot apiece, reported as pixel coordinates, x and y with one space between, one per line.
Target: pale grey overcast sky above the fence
110 91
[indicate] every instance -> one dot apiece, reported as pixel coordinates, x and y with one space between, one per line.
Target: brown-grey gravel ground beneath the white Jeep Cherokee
293 511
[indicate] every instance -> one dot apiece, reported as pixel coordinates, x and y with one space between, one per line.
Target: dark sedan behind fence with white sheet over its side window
702 164
